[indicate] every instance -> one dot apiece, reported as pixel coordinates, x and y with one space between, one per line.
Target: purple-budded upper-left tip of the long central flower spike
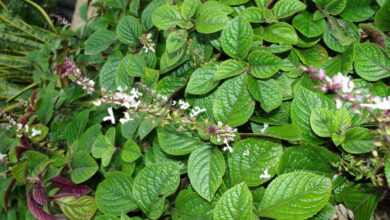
74 73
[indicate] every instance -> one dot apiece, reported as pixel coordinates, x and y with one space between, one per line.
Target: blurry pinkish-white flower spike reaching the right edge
344 88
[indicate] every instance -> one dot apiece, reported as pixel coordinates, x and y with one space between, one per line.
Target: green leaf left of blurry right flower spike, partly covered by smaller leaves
304 102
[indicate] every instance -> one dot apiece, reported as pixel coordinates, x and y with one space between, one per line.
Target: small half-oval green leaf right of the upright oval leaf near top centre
280 32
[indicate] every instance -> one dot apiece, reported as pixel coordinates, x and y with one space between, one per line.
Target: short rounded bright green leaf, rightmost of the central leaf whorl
263 64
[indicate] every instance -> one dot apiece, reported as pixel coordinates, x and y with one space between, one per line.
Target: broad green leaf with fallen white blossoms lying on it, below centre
252 158
